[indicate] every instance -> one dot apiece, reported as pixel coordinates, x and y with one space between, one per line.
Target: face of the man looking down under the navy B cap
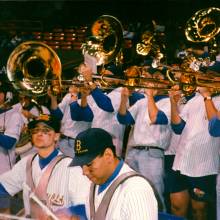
96 170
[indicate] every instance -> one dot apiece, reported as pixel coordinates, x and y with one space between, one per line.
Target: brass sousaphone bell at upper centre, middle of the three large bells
105 41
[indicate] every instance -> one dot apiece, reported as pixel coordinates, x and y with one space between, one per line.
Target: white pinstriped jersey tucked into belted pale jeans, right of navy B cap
143 133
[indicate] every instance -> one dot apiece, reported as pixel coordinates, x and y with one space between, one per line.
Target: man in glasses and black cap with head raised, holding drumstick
47 173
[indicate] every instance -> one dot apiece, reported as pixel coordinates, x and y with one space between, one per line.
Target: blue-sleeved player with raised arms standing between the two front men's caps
71 122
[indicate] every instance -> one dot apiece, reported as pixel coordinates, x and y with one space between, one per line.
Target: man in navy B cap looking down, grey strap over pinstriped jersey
133 197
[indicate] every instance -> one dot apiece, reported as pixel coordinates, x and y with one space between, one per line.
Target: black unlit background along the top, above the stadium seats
66 13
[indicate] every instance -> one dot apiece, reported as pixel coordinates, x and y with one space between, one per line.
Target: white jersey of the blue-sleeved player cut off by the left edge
11 124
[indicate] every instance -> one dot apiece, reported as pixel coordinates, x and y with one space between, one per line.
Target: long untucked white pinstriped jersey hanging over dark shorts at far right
198 152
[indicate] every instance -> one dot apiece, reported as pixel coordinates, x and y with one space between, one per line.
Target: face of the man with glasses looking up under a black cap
43 136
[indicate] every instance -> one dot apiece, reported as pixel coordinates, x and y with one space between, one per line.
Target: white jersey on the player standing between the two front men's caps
69 127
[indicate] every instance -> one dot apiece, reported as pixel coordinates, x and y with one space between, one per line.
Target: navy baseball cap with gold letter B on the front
89 144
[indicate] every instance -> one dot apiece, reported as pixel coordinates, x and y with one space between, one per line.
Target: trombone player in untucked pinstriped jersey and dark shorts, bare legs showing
196 162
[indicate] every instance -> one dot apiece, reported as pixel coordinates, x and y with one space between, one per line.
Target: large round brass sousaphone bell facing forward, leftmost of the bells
32 66
